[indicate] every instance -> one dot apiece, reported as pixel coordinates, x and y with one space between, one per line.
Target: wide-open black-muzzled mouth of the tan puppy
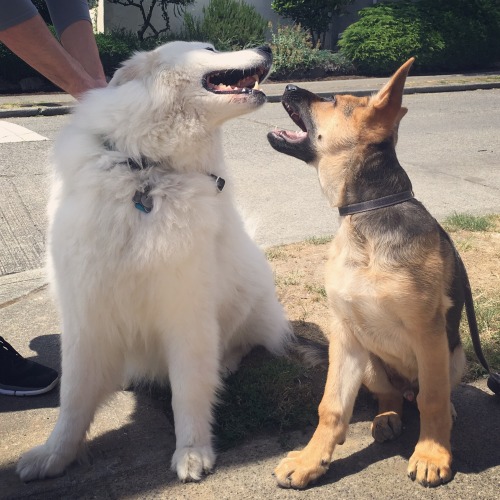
296 102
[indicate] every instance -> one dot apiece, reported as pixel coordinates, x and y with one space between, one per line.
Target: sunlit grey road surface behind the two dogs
449 143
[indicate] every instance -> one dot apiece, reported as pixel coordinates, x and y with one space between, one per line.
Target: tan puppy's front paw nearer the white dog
299 469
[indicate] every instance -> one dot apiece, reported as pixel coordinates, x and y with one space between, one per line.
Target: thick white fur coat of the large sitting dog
181 292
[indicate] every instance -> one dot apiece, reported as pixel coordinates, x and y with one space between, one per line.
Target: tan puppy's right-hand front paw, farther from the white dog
430 464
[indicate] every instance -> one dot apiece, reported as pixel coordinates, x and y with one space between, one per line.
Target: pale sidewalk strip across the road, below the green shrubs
60 103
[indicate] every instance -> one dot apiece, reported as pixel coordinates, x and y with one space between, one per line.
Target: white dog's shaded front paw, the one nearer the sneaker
41 462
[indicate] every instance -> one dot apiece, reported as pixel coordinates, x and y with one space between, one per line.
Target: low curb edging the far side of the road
271 97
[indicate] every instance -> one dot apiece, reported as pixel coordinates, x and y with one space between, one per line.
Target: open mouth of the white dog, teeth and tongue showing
235 81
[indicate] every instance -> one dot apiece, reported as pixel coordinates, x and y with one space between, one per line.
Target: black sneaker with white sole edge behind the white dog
23 377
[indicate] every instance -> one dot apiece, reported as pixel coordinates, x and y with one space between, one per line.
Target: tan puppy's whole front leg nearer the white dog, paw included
348 360
